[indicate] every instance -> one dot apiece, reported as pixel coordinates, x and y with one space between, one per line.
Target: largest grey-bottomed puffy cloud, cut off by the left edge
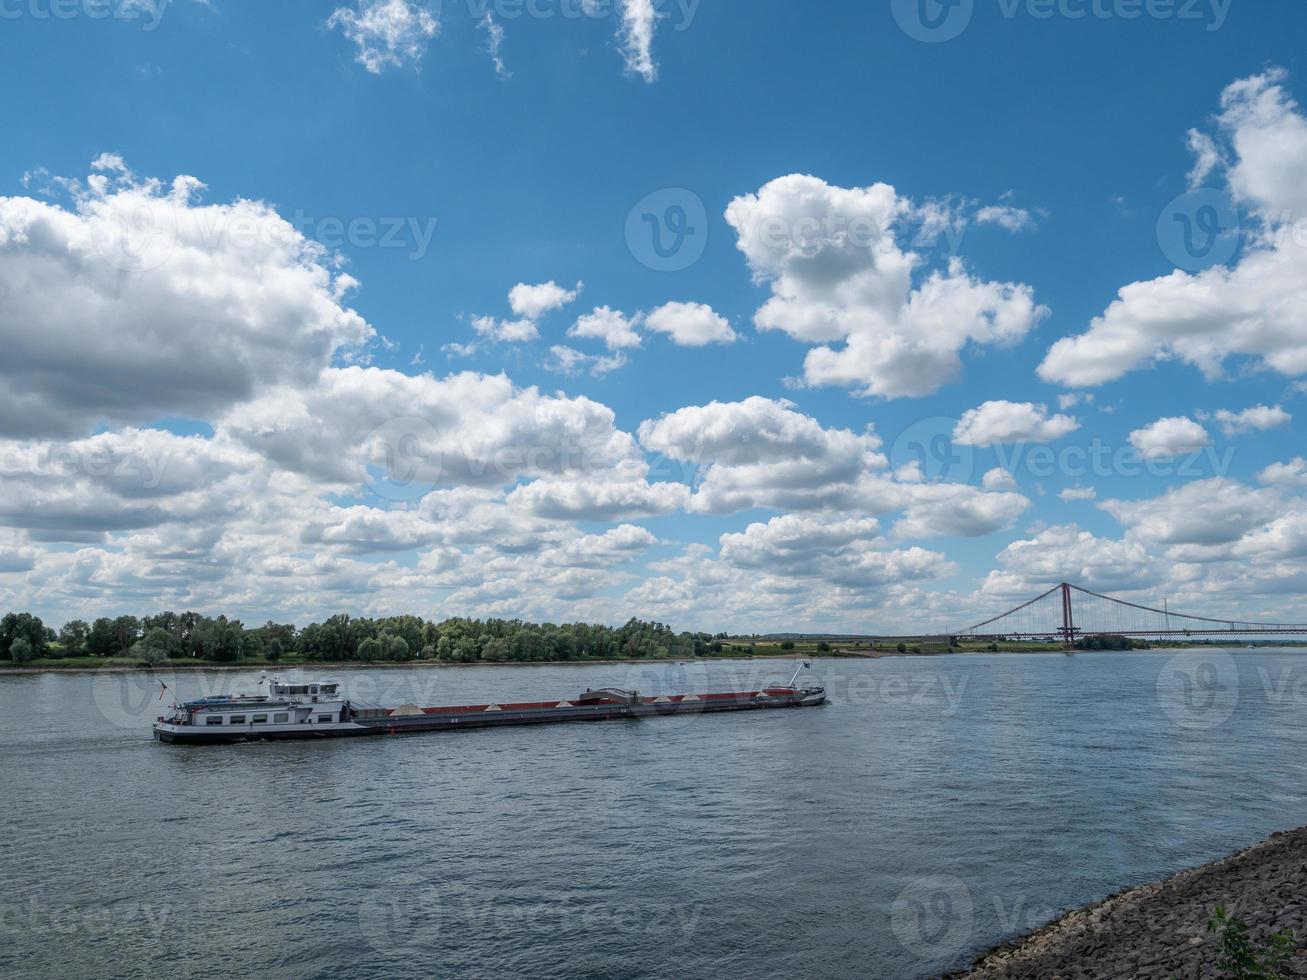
172 306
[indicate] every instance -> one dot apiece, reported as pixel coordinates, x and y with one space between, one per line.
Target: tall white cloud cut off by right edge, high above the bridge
1248 312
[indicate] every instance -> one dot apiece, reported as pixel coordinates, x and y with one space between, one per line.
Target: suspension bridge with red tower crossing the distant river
1071 613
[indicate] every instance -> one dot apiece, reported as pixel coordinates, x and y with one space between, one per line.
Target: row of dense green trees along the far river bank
156 640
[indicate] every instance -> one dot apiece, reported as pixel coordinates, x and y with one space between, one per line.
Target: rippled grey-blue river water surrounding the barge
936 807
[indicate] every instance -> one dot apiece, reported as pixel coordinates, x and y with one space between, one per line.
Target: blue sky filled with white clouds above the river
1051 154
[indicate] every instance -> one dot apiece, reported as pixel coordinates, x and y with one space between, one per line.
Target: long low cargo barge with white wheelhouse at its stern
309 710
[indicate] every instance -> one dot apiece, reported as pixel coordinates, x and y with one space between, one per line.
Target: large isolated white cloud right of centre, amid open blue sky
838 276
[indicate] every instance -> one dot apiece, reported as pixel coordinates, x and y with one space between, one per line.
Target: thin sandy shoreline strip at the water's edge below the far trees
184 667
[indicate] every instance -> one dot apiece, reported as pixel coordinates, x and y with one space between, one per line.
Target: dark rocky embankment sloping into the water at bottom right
1160 931
